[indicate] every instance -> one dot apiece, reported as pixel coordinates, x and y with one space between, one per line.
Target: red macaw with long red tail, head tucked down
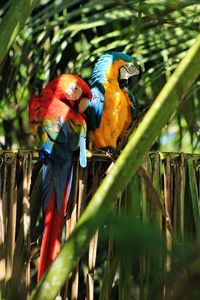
59 128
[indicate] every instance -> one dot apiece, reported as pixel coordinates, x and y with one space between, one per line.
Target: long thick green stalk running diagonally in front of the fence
121 173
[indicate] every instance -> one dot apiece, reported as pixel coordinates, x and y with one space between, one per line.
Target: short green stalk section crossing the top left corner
13 22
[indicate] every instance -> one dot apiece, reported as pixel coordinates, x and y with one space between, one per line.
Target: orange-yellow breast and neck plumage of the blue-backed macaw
116 117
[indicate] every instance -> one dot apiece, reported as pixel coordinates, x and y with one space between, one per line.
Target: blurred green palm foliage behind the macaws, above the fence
68 36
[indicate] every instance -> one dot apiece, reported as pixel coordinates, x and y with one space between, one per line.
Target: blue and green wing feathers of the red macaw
57 142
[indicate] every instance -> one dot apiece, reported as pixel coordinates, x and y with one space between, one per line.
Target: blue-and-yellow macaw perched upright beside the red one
113 108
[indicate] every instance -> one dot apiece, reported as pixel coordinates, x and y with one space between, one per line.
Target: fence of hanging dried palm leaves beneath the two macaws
165 192
